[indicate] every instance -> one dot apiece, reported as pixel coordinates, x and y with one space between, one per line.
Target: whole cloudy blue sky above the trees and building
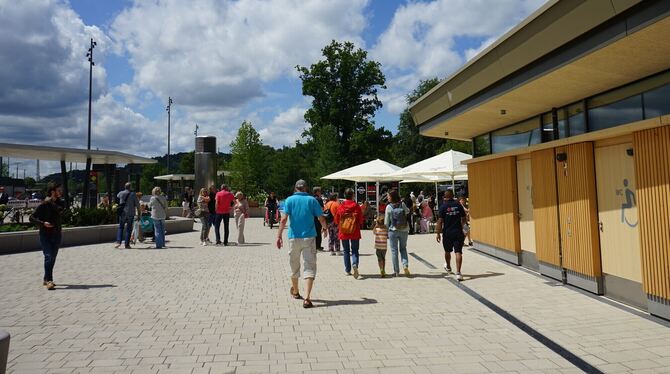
223 62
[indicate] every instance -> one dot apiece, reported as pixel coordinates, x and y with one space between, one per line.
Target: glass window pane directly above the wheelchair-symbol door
615 113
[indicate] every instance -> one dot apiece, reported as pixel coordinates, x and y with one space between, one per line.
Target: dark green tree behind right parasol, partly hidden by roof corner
410 146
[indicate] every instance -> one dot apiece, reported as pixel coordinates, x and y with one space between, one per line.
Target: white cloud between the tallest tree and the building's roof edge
422 40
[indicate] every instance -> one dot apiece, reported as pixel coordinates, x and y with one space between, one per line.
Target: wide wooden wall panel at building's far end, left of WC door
493 203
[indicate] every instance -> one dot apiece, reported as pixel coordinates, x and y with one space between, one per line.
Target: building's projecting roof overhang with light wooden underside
563 53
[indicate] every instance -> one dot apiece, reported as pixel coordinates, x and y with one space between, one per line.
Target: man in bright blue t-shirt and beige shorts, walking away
302 208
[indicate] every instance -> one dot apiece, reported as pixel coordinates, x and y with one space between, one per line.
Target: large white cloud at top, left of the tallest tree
209 53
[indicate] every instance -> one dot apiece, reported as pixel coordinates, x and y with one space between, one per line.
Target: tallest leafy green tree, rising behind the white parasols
344 89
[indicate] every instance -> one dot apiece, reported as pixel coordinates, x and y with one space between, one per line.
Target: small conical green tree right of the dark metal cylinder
248 165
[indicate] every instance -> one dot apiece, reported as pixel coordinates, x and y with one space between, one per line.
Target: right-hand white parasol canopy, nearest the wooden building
447 164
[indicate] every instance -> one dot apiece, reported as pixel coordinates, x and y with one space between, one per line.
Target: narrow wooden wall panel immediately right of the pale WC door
545 206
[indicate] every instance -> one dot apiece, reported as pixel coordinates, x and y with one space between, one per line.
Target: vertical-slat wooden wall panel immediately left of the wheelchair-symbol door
578 209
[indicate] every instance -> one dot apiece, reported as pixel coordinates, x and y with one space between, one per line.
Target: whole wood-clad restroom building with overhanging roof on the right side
568 114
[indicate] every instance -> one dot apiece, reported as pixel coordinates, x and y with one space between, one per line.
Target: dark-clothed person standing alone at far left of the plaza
47 217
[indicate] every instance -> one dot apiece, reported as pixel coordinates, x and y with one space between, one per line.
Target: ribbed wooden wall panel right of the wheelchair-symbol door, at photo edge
652 174
